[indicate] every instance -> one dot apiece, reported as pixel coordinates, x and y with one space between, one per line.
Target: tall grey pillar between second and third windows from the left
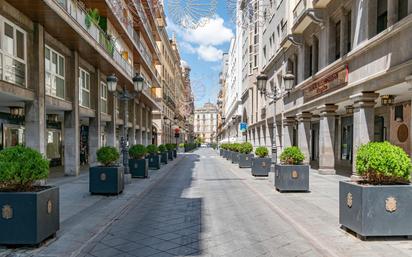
72 124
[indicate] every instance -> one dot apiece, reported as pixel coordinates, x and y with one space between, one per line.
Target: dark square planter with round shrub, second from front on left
109 177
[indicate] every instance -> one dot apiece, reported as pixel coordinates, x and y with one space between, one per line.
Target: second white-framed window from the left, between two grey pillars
54 67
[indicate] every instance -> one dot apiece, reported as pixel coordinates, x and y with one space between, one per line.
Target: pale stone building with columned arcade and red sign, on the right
352 70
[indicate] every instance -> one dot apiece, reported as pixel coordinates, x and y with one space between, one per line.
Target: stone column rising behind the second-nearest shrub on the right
304 121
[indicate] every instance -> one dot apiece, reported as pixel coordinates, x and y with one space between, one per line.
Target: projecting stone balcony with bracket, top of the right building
304 15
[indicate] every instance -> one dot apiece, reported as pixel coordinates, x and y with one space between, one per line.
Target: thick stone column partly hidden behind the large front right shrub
363 122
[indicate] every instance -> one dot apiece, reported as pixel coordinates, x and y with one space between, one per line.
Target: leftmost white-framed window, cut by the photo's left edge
12 53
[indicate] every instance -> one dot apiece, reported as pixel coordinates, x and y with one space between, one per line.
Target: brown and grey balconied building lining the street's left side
55 60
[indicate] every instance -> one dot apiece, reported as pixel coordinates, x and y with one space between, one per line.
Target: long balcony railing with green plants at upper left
79 14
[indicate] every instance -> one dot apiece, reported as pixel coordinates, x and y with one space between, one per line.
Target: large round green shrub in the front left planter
20 167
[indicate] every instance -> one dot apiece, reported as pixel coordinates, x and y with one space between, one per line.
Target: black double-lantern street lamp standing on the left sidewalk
125 96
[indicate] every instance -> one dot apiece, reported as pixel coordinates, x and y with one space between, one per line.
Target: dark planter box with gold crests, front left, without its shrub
28 218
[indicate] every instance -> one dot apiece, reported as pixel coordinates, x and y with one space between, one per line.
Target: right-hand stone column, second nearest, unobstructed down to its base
327 139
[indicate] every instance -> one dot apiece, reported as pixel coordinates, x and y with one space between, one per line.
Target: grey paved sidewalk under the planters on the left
83 216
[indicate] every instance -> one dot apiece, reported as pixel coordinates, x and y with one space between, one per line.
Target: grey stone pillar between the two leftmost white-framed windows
35 111
